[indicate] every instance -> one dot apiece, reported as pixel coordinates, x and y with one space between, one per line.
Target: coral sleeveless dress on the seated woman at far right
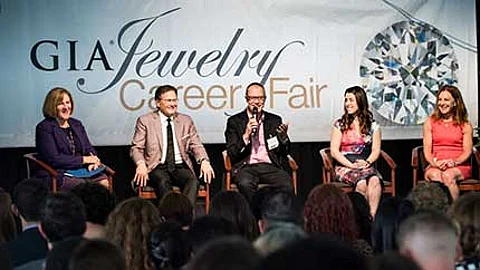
447 143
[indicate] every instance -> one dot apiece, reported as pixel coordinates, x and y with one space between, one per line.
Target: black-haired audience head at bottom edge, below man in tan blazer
169 246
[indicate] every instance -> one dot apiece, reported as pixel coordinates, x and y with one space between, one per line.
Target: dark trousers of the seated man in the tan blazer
182 177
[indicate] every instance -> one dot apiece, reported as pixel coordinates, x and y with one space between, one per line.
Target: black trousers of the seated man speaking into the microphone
250 176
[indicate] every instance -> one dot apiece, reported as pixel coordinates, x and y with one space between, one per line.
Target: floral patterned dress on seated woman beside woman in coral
355 146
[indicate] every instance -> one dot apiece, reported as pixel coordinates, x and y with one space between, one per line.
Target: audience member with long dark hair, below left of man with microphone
234 207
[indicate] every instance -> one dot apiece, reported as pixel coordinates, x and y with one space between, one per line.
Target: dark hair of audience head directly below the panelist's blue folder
98 201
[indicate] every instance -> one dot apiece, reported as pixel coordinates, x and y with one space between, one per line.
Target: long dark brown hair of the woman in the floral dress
365 117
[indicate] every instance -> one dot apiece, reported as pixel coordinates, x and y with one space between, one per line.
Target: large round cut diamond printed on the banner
402 69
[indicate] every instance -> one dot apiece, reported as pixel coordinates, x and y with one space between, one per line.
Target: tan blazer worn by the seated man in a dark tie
147 143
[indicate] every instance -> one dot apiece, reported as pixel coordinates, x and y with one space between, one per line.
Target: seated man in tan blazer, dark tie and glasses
151 154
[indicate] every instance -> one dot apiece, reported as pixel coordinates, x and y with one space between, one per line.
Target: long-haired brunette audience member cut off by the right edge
466 213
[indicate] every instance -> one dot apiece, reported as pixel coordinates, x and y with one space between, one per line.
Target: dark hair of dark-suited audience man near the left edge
28 196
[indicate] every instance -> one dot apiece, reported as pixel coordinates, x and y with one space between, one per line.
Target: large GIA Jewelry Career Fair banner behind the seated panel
112 54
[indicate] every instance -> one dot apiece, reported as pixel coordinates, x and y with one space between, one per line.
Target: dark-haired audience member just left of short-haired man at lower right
390 214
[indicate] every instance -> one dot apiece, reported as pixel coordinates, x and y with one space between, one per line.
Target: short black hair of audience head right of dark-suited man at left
63 215
